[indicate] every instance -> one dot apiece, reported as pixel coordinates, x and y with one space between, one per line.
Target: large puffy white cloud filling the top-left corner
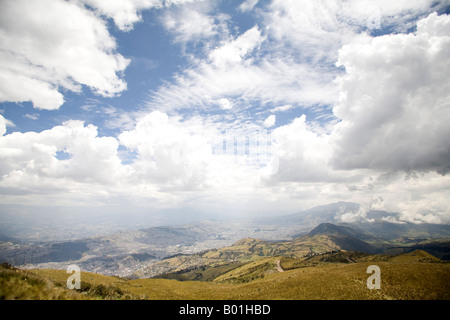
51 44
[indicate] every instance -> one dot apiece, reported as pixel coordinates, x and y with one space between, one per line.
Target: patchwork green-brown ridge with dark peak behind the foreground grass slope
324 239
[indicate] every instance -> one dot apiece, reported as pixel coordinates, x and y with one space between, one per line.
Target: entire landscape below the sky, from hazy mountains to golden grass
234 260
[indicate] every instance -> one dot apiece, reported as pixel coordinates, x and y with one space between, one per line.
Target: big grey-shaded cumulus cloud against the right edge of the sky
394 103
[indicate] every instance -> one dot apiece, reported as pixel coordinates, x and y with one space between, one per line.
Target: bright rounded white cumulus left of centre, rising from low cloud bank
168 153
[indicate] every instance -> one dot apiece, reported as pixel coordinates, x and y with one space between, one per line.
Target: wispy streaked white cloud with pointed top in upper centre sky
233 72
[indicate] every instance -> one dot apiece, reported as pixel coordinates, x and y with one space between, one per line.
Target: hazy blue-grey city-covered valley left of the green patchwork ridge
123 253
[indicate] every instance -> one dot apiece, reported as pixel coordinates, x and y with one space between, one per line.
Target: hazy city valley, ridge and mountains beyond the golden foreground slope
161 250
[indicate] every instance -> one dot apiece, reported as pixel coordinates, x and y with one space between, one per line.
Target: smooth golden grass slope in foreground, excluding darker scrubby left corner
408 276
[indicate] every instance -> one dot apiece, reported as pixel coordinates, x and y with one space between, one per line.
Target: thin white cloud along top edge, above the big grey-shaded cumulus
316 30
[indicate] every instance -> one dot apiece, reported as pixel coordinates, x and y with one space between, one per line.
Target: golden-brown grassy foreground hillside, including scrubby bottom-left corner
413 276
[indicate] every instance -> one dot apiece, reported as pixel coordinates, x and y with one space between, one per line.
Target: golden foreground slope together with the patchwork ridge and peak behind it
329 262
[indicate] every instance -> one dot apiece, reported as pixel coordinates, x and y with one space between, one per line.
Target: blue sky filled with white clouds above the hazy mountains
228 107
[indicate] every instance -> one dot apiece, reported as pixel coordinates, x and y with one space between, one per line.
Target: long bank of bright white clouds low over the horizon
171 163
